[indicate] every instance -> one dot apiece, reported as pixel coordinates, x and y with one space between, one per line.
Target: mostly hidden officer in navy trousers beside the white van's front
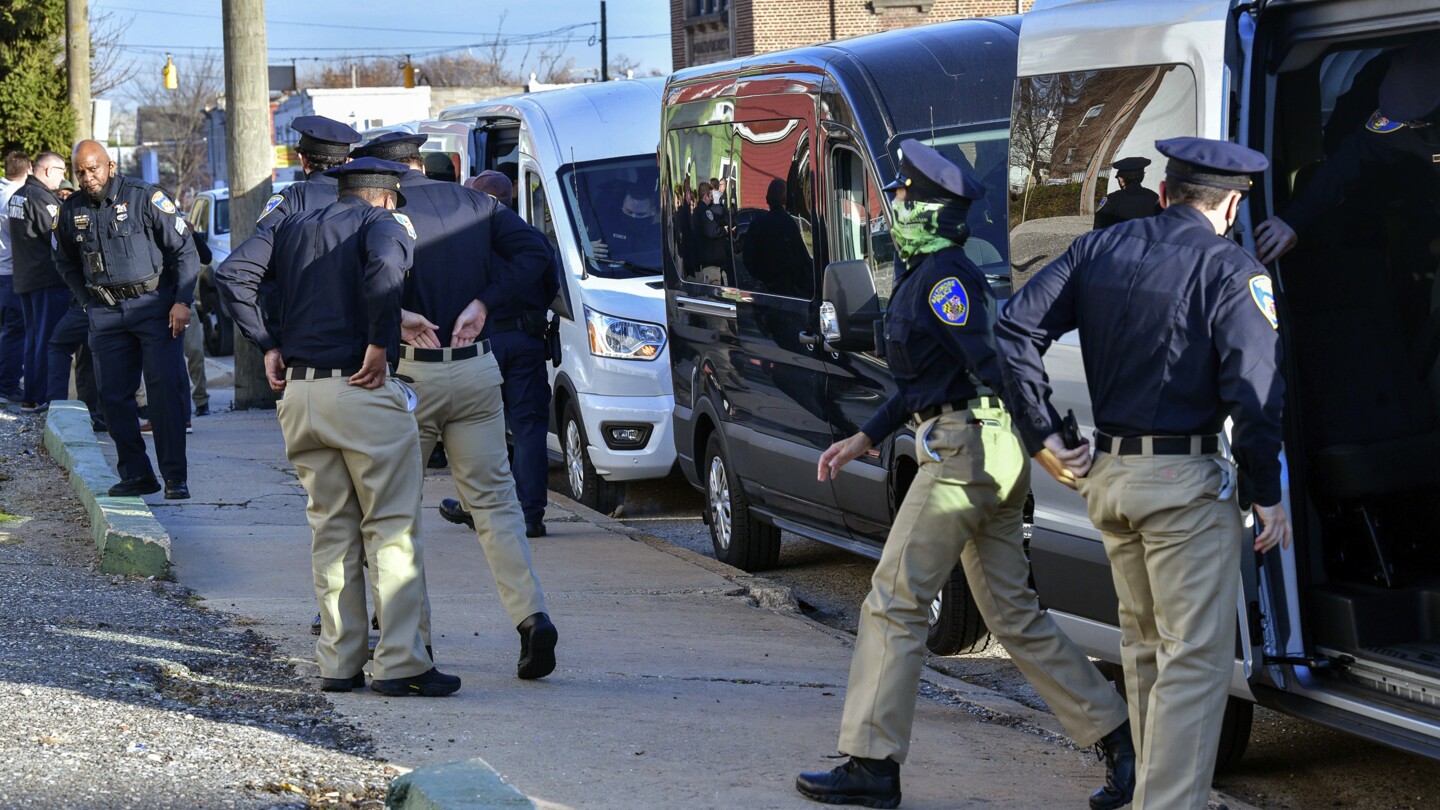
518 338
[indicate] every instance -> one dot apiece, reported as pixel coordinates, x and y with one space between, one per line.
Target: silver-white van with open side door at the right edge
1344 628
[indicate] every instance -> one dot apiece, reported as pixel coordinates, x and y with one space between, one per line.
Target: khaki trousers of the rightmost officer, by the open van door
1174 537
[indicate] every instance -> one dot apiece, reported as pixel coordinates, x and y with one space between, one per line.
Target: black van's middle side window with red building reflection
774 208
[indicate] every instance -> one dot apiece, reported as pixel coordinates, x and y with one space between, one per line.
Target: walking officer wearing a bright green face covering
964 507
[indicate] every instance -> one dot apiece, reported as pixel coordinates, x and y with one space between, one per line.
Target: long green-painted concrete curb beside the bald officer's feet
126 533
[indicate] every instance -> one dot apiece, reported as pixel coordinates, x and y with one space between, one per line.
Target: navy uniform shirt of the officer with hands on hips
339 270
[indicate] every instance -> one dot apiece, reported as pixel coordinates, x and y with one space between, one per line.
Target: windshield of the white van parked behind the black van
617 214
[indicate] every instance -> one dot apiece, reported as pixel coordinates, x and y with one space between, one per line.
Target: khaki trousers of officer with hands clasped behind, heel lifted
462 404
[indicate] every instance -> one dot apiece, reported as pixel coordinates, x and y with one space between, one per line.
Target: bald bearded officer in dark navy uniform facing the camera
126 253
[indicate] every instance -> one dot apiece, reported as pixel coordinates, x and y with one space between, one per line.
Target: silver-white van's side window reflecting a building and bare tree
1066 133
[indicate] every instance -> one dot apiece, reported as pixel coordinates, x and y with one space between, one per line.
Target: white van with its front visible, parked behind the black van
574 153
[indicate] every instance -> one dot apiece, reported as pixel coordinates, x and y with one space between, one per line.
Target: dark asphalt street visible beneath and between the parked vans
1290 763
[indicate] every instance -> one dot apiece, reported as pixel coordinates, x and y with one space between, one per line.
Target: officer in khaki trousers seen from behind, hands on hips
341 272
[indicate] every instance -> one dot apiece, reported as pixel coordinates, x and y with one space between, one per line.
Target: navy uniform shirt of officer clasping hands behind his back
469 247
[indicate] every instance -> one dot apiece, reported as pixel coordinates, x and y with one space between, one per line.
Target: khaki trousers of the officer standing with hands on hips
358 455
